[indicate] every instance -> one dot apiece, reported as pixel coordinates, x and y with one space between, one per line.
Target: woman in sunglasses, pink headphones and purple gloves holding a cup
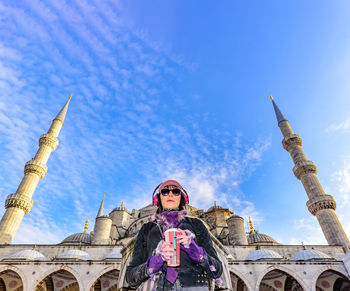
198 257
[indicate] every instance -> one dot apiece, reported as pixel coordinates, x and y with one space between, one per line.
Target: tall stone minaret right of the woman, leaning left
320 204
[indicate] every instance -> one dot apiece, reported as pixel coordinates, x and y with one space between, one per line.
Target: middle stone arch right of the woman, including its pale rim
275 278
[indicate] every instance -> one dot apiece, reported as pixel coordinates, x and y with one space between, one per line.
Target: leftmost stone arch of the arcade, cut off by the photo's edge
11 277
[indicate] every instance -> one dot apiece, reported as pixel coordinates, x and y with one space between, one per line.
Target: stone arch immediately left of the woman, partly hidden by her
107 278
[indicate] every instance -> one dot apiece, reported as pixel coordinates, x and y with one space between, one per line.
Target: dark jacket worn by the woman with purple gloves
189 273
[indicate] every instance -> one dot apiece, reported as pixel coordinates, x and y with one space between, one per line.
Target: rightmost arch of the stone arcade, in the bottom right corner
332 280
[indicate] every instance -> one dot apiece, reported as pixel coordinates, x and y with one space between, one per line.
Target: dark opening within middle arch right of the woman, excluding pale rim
277 280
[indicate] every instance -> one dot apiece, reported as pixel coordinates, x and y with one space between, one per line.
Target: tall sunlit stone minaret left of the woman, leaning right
21 202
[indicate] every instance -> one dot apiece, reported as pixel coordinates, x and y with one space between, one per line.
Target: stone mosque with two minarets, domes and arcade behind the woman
97 261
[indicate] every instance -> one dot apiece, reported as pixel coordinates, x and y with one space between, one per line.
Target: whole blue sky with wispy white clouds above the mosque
175 89
